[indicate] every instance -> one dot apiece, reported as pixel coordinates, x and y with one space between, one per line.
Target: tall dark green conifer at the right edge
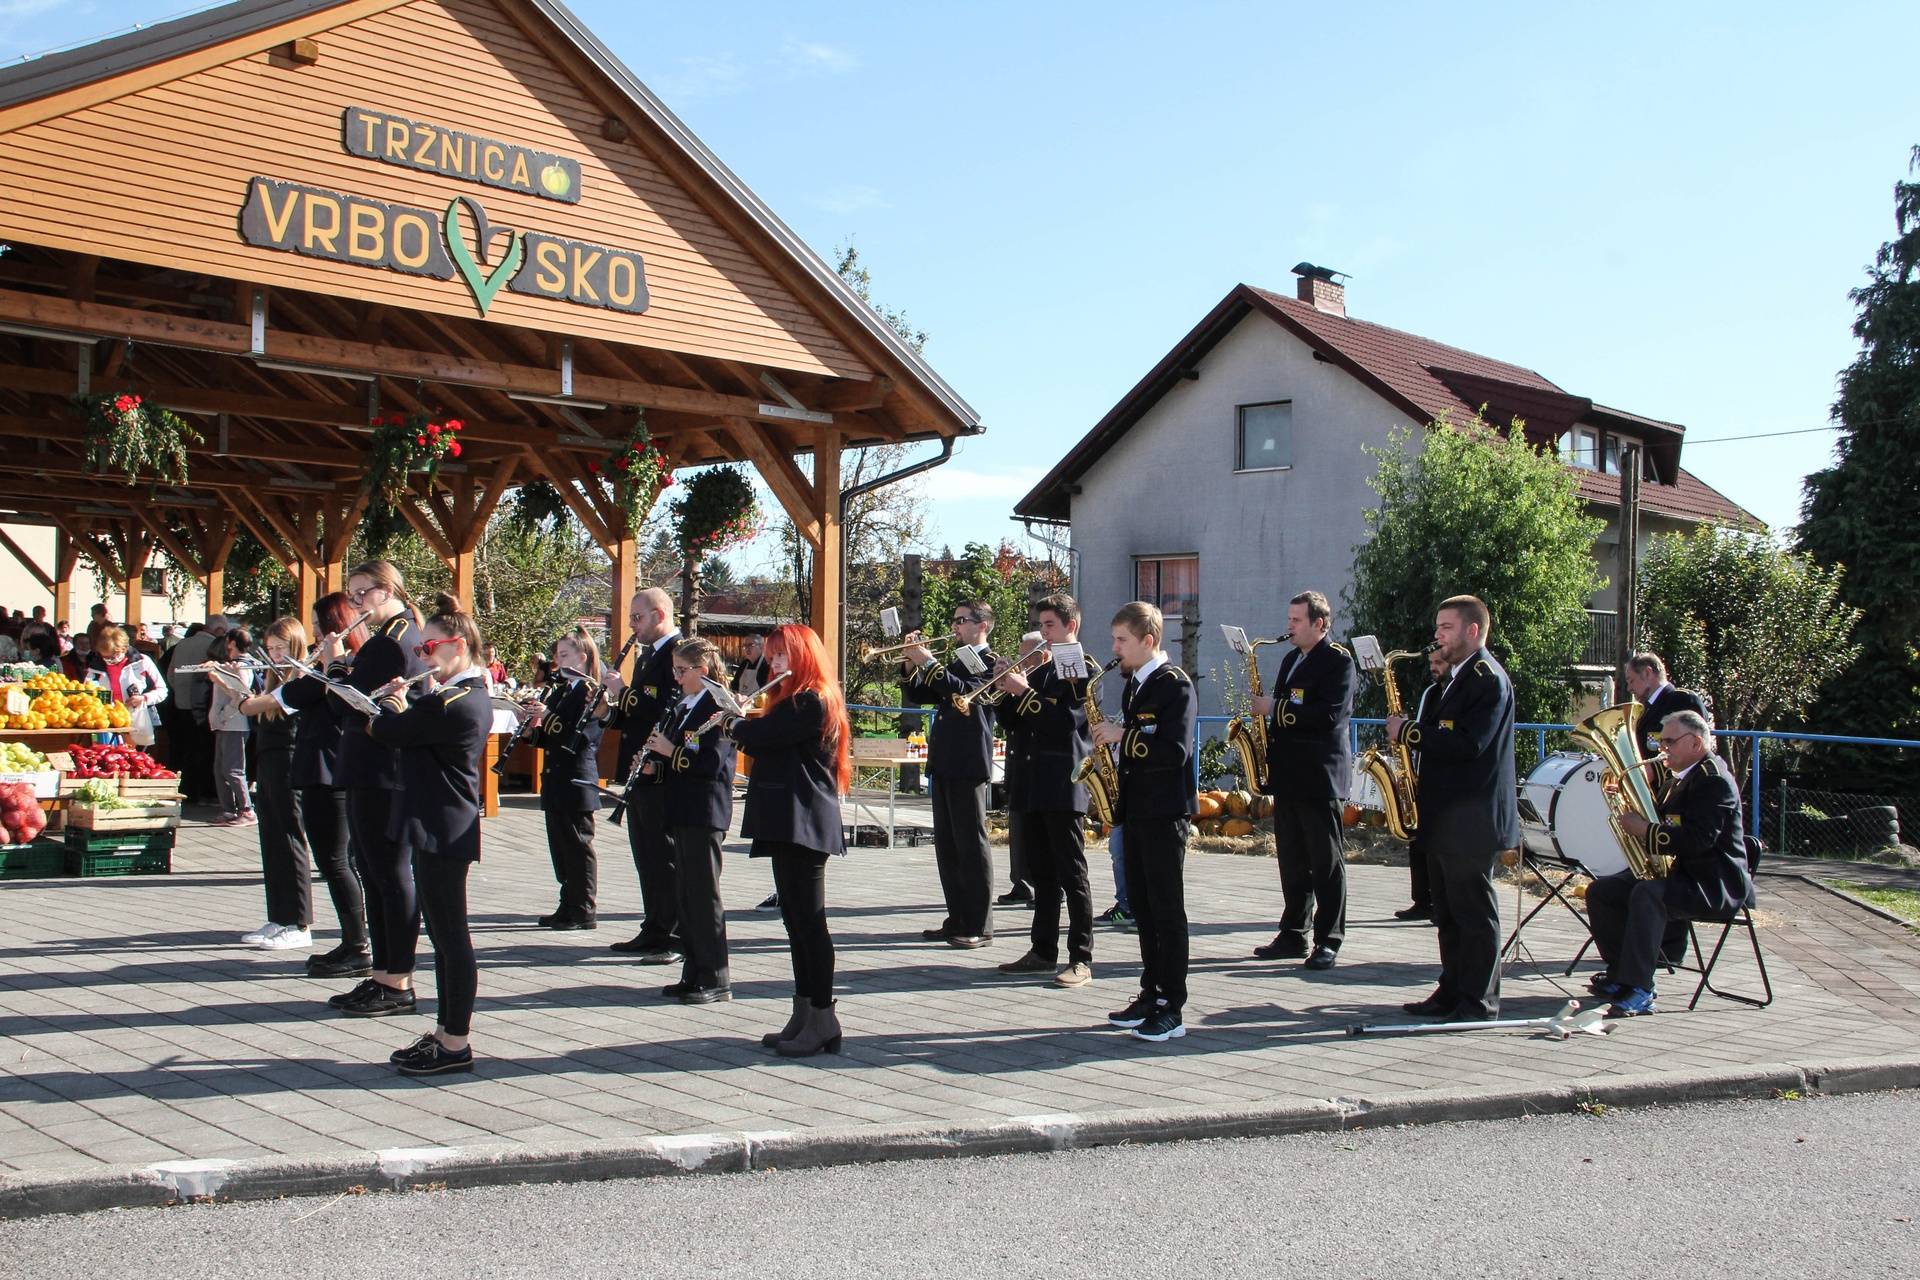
1861 513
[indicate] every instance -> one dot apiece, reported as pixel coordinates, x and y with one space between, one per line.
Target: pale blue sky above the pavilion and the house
1656 206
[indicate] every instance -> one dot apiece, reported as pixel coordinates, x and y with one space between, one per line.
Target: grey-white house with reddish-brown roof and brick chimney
1234 477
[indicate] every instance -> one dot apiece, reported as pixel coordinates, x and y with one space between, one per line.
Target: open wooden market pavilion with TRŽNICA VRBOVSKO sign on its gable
289 218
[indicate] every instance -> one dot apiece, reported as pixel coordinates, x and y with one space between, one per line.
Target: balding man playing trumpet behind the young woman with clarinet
636 711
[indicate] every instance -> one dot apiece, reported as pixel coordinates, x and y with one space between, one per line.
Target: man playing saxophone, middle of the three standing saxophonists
1310 769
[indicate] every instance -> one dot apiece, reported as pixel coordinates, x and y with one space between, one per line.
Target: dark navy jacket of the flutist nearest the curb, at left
441 746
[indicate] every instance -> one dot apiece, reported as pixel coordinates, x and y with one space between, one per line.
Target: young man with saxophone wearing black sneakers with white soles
1157 803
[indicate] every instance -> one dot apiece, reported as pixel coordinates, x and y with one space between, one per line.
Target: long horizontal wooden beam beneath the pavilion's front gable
220 337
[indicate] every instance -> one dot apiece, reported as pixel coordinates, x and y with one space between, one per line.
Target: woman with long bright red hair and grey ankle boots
800 772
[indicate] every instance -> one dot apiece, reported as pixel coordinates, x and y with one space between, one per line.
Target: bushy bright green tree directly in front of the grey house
1479 513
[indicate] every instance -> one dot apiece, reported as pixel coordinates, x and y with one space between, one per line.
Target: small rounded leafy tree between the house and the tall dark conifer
1758 628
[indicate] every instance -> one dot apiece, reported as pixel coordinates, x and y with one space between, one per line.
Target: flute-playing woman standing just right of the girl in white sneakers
324 803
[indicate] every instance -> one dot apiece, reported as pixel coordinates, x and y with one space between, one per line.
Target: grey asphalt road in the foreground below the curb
1775 1189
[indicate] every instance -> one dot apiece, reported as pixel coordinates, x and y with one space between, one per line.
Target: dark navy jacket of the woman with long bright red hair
794 794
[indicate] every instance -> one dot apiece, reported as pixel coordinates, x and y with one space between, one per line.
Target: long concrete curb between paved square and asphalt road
400 1170
